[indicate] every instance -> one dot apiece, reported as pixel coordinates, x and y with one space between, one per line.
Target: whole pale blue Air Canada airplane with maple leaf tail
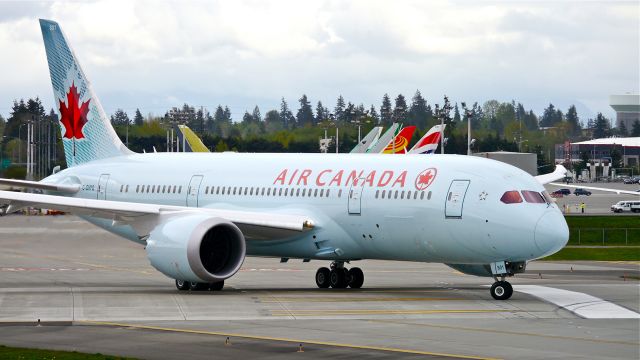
199 214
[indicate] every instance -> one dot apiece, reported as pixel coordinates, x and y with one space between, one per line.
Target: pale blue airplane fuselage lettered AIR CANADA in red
386 213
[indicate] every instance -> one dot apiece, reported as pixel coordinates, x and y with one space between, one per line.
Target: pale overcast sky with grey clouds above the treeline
155 55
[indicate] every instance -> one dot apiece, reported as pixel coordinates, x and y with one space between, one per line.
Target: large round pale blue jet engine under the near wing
196 248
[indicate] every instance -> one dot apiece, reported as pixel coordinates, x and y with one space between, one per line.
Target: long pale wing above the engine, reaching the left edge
144 217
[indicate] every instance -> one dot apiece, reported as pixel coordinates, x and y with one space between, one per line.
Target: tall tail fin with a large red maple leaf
86 131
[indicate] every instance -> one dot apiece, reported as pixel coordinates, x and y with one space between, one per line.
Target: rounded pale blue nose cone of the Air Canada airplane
551 234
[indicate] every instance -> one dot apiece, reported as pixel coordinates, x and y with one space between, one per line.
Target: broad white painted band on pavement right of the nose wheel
583 305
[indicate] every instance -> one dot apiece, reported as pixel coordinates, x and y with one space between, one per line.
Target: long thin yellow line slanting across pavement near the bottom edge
299 341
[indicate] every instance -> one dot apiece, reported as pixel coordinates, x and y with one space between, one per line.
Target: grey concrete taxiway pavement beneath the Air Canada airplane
95 292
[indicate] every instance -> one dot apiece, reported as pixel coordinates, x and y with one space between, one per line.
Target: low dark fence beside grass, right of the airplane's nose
604 236
